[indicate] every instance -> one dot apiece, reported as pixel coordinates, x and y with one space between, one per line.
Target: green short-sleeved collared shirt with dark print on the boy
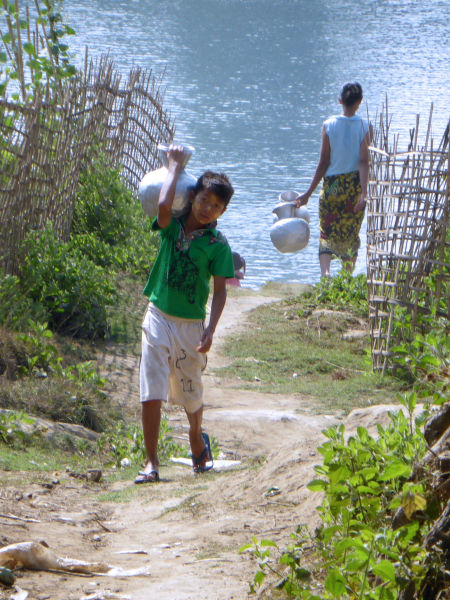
179 280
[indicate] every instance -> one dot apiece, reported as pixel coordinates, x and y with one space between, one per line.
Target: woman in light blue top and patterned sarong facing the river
344 166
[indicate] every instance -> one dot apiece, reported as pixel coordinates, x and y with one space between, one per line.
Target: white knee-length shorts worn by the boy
171 368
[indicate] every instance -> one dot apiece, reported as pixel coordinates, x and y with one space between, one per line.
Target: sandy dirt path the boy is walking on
187 529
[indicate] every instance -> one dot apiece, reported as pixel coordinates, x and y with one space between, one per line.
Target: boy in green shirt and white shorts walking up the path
174 338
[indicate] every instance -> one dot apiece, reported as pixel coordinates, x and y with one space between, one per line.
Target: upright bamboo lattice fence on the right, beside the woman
407 232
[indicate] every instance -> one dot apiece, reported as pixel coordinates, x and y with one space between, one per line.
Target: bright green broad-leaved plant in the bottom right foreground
356 553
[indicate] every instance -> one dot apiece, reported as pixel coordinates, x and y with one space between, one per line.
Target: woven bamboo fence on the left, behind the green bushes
45 144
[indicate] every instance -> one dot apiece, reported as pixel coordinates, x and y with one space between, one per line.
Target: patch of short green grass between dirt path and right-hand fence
298 347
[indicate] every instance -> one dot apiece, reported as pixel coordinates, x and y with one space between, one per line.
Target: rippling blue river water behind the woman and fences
249 83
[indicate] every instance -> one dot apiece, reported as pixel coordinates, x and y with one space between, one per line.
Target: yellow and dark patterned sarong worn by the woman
339 225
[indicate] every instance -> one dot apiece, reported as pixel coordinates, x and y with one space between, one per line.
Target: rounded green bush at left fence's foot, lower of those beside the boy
67 285
